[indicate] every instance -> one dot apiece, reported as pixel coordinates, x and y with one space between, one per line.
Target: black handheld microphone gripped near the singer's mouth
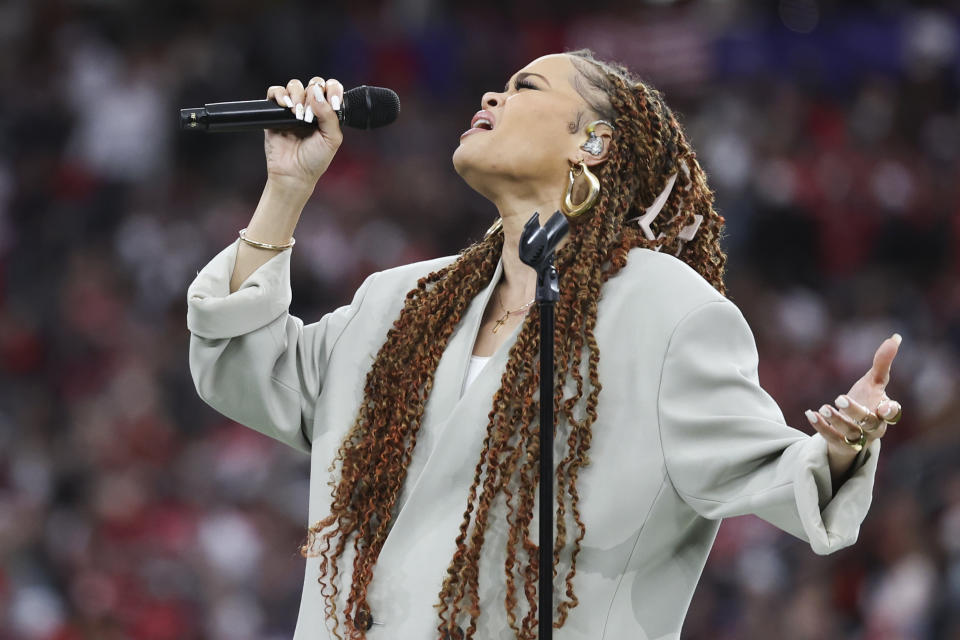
363 108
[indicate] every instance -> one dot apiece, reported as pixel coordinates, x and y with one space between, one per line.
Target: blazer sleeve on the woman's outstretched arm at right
727 448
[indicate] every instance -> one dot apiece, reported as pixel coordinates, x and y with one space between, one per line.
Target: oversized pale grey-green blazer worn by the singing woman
685 436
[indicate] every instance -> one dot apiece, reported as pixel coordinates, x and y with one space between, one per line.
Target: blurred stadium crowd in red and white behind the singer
129 509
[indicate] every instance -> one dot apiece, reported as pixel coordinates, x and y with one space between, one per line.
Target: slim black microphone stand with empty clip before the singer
537 246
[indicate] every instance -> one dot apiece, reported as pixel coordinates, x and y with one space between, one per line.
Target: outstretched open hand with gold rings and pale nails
862 414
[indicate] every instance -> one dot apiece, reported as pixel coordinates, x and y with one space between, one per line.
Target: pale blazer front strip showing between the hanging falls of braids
421 541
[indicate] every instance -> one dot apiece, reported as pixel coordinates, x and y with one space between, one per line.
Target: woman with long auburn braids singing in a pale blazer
418 402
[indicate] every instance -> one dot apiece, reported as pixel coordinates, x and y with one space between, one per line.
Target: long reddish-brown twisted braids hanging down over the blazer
648 146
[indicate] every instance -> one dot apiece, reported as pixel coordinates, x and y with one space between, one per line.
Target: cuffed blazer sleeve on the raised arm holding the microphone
249 358
